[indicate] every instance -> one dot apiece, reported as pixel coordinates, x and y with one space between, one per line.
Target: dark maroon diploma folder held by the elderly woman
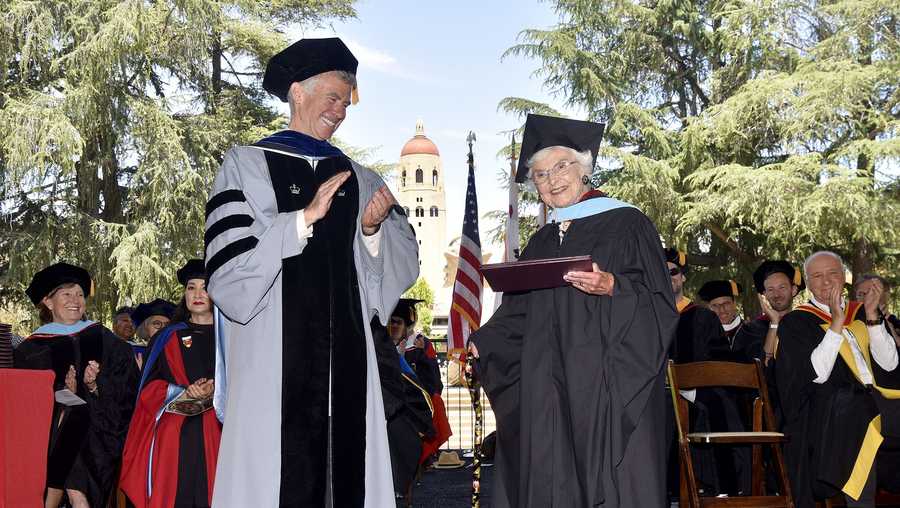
534 274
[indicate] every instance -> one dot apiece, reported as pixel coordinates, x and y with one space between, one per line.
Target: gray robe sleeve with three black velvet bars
246 237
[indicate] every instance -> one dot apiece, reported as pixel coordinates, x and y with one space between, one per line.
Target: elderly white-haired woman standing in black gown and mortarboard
575 373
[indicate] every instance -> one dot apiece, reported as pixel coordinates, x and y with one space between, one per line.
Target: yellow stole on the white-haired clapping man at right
866 456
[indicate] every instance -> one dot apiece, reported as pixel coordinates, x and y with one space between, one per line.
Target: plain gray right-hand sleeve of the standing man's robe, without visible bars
383 278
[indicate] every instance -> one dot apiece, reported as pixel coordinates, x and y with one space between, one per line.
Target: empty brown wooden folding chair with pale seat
689 376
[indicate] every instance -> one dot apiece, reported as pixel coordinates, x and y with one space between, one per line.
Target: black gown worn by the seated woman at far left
86 448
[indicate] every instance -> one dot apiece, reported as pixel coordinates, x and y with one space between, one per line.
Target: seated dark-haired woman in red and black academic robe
170 457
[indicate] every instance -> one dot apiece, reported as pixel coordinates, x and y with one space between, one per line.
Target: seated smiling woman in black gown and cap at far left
98 368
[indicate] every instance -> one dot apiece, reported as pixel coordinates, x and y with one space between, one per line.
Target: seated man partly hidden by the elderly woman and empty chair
697 336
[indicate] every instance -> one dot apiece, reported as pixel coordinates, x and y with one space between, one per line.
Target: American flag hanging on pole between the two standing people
465 311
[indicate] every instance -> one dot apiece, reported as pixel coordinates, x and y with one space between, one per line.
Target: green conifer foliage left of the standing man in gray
114 116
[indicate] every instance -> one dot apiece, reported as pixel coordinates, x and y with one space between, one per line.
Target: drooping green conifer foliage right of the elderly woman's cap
745 130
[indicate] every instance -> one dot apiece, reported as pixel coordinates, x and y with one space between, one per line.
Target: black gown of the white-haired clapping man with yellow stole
826 423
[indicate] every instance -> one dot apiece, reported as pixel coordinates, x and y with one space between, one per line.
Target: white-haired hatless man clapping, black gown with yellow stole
837 414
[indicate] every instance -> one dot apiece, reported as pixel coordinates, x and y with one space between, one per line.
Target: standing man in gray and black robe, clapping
305 251
